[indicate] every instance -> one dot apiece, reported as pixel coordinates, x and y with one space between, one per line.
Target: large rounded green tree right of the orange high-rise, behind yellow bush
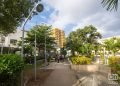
83 40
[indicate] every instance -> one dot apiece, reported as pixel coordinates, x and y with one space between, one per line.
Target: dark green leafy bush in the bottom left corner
10 69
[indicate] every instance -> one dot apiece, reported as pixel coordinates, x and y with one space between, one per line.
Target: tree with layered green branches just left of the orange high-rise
41 31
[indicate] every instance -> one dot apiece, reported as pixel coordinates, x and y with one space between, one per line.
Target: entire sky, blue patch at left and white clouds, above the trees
70 15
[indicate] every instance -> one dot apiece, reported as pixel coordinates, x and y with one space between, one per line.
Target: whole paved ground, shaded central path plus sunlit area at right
62 75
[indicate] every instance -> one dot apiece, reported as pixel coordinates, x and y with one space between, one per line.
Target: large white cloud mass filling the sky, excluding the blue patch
83 12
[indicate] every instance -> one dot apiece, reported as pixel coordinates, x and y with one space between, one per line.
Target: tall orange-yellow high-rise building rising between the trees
59 36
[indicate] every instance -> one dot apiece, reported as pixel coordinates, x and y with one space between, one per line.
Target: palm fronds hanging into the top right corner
110 4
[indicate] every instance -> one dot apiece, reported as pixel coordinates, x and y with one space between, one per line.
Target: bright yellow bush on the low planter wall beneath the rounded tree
81 60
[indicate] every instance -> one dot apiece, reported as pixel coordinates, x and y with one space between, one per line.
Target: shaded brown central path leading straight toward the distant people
61 76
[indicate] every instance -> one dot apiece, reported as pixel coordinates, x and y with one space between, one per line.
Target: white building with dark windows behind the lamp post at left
11 39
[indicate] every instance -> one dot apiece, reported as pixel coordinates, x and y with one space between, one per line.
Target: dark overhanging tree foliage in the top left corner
13 13
